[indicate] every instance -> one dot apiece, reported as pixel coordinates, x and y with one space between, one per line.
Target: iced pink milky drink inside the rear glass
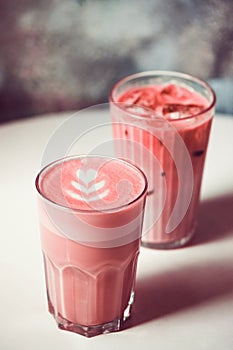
176 104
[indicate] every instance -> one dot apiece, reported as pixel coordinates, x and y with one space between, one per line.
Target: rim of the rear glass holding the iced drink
168 73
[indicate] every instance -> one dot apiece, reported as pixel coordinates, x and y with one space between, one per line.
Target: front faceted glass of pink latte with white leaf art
91 213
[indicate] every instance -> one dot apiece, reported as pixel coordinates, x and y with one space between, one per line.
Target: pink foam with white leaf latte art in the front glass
92 183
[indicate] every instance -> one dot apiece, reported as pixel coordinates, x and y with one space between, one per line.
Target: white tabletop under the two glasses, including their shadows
184 297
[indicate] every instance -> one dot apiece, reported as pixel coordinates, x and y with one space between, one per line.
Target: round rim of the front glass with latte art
91 211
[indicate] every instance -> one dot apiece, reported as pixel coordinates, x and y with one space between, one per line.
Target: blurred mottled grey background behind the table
58 55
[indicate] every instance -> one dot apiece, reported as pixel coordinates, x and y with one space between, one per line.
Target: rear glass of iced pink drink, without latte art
161 122
